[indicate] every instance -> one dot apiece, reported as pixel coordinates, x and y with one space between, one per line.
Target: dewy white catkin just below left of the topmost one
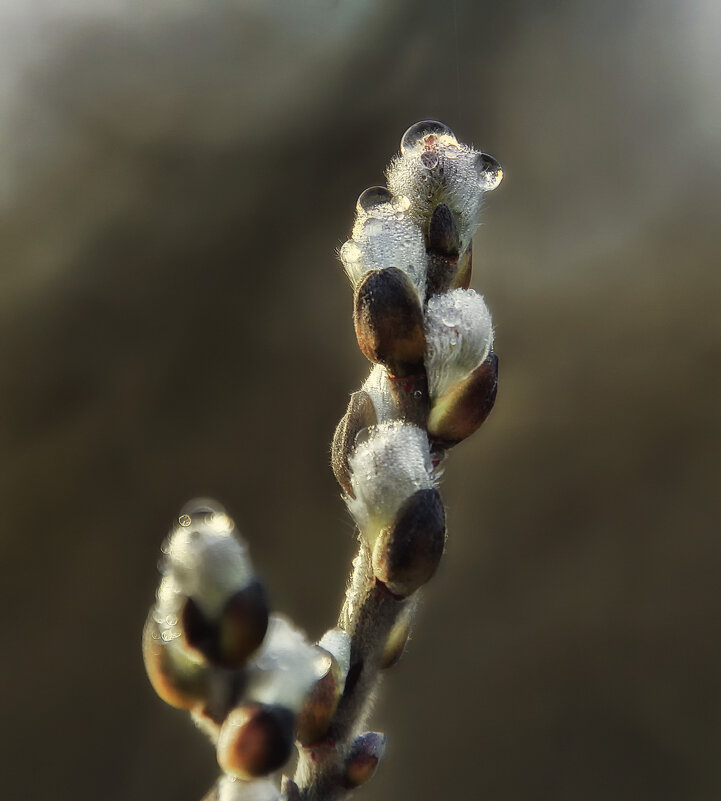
385 236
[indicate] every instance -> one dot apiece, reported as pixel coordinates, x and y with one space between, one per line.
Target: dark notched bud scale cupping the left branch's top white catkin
230 640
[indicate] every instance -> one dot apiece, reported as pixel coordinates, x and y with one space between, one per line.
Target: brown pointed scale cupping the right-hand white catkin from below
464 408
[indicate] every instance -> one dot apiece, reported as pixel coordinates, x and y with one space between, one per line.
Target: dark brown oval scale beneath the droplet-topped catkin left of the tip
389 321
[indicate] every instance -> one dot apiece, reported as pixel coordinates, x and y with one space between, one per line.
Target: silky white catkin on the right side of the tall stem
459 335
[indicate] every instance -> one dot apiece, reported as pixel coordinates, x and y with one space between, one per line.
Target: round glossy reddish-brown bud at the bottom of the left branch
255 740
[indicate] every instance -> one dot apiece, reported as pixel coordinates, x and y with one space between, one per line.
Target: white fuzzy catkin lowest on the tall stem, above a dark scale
386 469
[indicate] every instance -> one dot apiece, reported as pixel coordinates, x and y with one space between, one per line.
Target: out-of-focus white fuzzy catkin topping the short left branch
204 560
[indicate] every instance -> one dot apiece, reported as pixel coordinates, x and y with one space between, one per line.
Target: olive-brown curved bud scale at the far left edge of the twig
176 677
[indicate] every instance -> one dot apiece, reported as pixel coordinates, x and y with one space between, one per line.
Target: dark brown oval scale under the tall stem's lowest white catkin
406 555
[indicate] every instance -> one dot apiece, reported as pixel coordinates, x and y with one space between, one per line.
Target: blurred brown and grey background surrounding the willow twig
175 179
